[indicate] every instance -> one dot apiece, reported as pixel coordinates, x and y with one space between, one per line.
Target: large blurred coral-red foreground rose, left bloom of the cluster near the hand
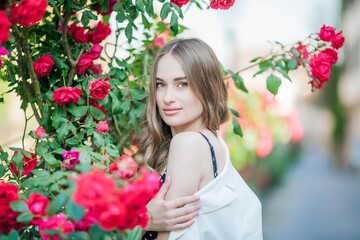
94 188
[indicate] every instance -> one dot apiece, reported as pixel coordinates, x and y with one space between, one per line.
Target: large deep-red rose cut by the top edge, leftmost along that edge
28 12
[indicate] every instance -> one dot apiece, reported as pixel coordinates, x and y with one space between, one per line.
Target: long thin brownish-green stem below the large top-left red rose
34 79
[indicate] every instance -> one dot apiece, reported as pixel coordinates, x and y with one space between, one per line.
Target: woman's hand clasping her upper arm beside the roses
171 215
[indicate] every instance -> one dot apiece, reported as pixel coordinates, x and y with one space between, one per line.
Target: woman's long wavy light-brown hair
203 73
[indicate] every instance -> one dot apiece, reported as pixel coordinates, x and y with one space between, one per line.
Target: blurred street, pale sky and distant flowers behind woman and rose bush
301 150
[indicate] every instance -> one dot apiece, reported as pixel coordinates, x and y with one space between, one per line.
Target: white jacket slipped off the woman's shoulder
229 209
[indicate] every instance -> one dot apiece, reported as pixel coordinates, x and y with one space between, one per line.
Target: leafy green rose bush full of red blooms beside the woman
88 99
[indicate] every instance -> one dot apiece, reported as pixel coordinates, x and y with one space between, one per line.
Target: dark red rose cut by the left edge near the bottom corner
8 193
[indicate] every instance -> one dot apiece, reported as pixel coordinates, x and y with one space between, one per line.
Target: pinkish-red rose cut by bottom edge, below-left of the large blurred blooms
56 222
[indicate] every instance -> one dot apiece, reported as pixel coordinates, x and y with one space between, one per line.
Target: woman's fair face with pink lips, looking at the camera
176 102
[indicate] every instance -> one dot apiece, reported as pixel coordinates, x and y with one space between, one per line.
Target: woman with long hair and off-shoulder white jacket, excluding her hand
187 103
